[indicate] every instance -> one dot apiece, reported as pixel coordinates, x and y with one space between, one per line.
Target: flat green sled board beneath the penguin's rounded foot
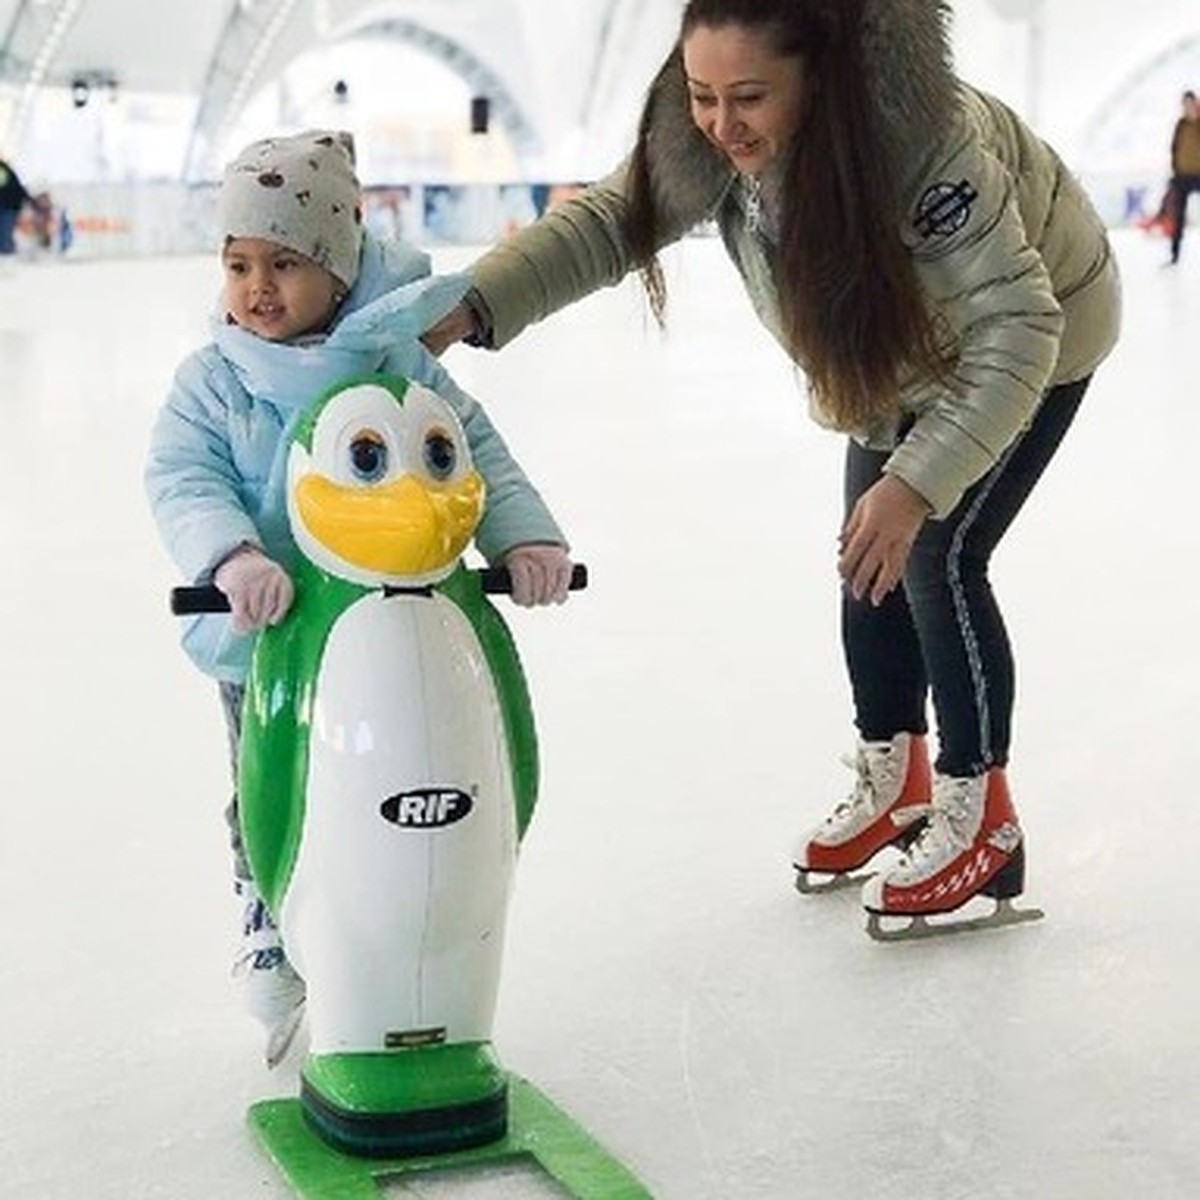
536 1130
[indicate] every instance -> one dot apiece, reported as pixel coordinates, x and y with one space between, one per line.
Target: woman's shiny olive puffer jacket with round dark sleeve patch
1009 249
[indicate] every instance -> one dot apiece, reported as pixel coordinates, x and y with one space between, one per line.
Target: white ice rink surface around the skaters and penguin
728 1037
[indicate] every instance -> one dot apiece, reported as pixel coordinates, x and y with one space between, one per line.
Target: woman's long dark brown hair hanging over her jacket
853 309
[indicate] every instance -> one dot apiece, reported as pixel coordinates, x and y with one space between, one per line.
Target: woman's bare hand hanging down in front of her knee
879 536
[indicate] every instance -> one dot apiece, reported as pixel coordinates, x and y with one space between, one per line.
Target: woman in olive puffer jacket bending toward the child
949 291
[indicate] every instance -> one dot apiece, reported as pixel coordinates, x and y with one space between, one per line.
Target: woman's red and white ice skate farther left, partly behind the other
891 777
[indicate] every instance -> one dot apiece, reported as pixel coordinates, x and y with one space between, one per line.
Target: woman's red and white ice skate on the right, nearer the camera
970 847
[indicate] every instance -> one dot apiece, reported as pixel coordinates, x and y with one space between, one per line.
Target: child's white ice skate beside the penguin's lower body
272 992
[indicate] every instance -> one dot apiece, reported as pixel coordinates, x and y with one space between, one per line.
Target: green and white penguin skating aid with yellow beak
388 772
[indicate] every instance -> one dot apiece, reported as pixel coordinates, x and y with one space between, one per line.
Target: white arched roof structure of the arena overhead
1096 77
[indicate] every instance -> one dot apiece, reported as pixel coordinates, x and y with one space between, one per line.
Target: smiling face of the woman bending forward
746 98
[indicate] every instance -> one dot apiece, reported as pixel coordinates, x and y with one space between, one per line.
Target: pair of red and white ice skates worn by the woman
959 845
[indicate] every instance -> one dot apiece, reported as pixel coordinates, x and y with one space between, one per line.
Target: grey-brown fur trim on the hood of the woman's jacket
907 51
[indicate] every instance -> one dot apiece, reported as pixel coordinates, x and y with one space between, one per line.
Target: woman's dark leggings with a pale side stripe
943 632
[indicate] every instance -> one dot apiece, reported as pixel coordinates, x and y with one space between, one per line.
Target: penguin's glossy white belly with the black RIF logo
395 911
